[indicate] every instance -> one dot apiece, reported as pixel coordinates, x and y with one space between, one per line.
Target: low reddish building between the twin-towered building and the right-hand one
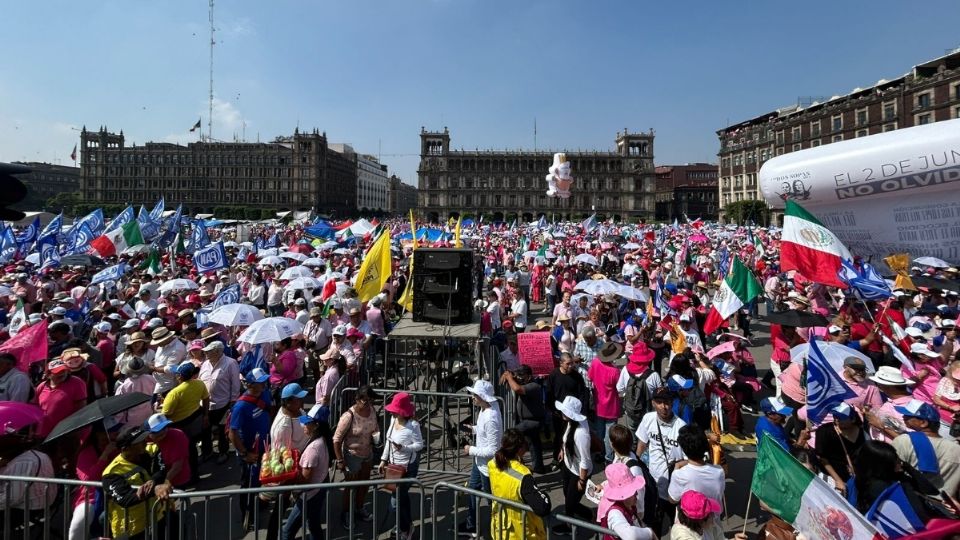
687 191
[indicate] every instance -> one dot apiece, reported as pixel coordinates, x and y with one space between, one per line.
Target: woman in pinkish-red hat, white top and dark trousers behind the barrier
402 448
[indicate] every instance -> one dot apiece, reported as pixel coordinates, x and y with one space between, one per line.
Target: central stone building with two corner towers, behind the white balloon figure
506 185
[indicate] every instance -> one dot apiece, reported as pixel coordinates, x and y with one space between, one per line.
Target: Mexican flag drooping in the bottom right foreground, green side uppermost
793 493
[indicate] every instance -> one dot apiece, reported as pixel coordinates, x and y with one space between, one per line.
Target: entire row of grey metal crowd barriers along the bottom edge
215 514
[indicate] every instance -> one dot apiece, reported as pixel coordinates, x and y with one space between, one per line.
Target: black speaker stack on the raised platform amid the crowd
443 277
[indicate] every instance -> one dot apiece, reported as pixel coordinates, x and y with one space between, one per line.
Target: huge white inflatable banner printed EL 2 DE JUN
892 192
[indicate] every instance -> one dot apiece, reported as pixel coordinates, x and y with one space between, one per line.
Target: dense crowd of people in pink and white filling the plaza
638 390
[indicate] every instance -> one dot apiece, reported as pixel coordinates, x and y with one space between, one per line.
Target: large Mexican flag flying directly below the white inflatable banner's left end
810 248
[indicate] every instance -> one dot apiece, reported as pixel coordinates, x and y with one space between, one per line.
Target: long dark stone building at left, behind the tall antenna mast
298 172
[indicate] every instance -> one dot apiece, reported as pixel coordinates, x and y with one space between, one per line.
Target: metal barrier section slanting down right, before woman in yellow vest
502 507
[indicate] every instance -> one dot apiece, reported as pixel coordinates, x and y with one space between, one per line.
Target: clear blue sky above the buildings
371 72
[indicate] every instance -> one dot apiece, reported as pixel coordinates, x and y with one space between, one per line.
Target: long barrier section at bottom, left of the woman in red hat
201 514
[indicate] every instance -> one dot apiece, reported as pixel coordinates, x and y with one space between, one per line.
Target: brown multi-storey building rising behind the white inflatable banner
930 92
